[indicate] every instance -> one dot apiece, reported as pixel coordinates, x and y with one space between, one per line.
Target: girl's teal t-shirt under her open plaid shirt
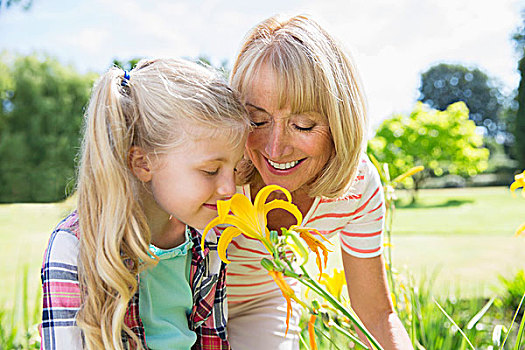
166 299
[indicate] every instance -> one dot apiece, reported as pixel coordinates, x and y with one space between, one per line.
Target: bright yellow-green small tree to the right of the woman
441 141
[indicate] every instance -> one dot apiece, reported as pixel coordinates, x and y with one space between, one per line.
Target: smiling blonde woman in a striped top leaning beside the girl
309 117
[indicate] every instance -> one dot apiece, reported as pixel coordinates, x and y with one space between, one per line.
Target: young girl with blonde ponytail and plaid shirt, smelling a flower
125 270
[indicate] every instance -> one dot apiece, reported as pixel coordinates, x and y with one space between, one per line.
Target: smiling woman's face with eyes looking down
288 150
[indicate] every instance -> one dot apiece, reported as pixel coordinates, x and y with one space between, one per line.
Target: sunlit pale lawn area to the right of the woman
466 234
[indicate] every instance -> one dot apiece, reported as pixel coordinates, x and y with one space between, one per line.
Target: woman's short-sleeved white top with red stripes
357 217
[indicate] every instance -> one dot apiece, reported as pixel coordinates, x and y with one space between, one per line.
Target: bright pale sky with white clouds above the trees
392 42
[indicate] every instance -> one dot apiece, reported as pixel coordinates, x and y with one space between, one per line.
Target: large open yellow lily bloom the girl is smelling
249 219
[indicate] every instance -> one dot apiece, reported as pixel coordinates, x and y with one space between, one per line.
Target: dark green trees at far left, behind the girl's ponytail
42 104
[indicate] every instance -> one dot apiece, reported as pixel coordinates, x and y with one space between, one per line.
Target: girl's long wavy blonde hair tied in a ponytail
154 109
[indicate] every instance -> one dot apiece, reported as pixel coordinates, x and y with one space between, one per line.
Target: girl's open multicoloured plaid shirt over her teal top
61 294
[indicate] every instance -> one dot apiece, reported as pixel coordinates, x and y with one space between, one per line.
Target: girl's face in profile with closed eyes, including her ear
188 181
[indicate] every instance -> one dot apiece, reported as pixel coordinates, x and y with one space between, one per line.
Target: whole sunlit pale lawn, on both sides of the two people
466 234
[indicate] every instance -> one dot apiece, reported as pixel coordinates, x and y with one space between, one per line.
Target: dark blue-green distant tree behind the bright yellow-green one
444 84
